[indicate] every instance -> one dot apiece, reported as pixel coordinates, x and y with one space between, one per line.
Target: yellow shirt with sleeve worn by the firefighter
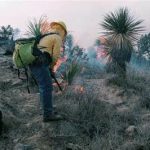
52 44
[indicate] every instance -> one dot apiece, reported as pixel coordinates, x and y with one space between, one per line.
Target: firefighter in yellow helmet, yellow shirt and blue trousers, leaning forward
41 71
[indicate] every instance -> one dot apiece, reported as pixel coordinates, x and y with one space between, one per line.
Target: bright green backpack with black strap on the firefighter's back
23 54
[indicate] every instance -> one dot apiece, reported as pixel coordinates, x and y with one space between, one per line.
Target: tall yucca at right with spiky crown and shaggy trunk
121 30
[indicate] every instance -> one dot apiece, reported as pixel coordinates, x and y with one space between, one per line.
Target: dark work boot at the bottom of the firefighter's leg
52 117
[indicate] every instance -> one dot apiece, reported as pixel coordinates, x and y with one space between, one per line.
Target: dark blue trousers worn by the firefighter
43 77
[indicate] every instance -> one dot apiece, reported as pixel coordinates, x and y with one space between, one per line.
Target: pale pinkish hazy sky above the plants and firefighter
82 17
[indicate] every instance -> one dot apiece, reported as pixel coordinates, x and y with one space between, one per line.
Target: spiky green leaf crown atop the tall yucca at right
122 23
